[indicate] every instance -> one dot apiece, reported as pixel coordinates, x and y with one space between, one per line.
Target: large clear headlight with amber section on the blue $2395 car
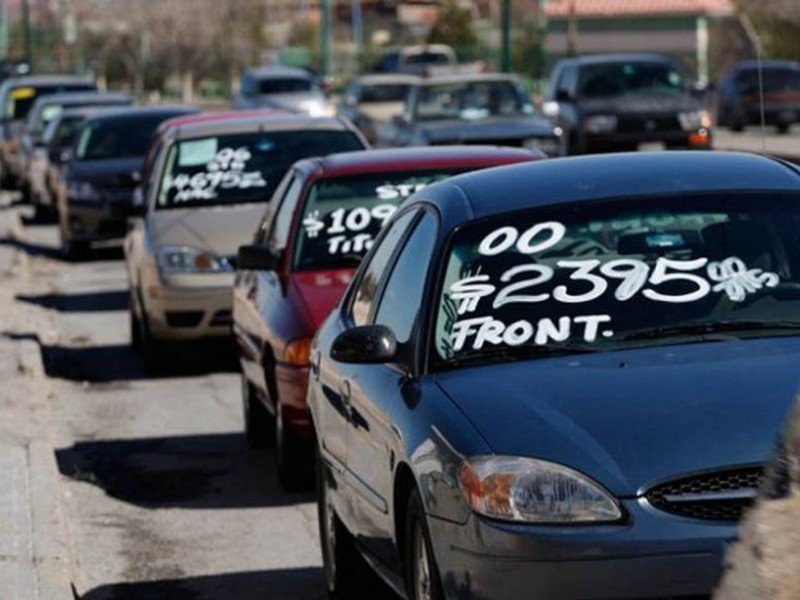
534 491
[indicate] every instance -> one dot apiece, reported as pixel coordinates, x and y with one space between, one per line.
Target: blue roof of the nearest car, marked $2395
605 176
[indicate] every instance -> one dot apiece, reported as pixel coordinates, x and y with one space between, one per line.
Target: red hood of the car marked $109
318 292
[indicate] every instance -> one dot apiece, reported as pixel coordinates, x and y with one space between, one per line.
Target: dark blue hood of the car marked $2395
632 418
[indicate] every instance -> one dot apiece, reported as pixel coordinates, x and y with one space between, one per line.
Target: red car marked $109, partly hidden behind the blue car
318 226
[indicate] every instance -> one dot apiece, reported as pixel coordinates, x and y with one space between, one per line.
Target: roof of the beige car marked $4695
264 121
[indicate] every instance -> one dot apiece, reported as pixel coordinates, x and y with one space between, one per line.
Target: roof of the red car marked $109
400 159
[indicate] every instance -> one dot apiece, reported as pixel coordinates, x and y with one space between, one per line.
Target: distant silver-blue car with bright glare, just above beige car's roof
283 88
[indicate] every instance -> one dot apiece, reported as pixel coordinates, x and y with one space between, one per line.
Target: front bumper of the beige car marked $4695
199 310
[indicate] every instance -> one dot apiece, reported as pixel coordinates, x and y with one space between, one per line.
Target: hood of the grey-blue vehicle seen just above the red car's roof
488 130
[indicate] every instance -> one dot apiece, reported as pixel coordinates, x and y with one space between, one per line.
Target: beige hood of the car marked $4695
219 230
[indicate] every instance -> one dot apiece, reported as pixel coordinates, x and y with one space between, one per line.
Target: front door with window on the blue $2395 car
378 393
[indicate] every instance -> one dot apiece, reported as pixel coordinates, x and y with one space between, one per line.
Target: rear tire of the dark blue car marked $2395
342 564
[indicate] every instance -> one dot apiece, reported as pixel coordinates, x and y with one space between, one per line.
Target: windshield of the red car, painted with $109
342 215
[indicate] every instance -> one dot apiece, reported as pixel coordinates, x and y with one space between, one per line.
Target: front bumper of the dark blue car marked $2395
653 555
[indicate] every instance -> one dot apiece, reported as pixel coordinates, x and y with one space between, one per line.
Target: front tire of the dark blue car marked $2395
421 573
